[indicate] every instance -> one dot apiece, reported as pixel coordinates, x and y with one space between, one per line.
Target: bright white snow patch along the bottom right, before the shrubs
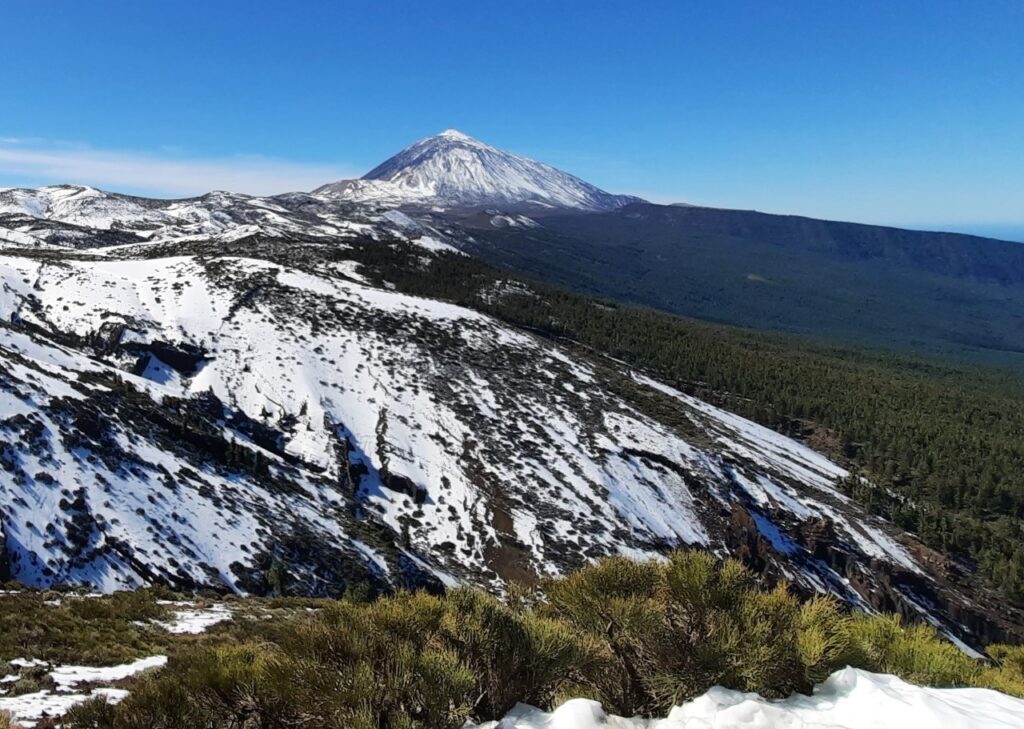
848 700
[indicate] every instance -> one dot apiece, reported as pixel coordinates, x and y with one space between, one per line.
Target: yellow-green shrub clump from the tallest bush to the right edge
673 630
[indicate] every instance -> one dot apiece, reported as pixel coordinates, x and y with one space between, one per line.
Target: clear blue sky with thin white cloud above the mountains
881 112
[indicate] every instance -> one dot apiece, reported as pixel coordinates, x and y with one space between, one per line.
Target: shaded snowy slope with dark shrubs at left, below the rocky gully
89 498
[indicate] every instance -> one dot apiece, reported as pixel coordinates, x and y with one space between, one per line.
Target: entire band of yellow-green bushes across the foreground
637 636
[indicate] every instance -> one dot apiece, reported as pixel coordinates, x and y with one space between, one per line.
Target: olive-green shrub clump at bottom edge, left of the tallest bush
381 665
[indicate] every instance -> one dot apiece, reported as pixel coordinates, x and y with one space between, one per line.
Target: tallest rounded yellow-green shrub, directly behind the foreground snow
675 629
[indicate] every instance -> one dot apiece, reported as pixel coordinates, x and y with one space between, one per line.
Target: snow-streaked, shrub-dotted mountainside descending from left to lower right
199 393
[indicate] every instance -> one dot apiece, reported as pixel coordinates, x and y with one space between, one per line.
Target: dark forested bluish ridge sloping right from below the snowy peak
933 293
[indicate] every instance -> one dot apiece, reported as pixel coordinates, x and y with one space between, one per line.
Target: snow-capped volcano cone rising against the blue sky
453 169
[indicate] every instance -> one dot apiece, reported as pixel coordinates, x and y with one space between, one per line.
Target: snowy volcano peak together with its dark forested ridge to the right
932 293
